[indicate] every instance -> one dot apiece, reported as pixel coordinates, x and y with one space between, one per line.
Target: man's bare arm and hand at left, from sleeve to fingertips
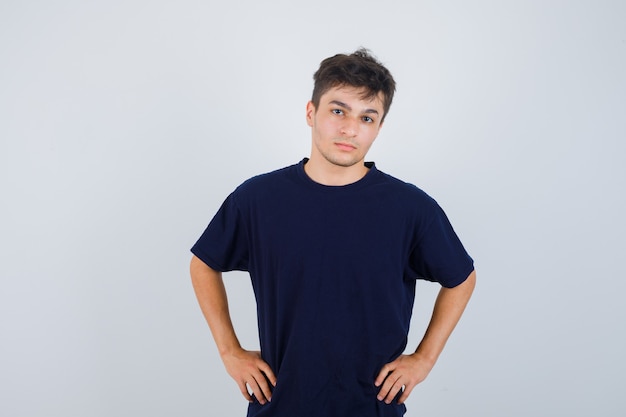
244 367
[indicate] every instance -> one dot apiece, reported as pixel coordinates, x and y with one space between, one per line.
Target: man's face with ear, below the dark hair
344 126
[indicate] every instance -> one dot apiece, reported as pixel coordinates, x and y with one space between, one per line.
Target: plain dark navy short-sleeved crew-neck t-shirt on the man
333 270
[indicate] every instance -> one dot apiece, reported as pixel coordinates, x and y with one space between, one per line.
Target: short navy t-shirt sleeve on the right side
439 255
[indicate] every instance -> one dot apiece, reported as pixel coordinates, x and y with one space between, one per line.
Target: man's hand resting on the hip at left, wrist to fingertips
247 368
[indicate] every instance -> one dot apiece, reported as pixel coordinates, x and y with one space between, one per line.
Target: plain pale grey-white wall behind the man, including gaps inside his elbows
124 124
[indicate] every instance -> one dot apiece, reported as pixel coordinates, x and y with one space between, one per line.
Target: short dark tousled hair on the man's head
359 69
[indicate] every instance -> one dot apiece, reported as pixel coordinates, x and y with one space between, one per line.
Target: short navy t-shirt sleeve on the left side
224 244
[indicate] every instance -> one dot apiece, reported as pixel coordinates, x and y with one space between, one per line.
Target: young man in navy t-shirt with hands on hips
333 247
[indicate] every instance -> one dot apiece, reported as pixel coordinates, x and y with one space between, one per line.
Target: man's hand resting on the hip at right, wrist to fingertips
406 371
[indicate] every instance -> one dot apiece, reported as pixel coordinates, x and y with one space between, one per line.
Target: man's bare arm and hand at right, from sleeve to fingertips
409 370
